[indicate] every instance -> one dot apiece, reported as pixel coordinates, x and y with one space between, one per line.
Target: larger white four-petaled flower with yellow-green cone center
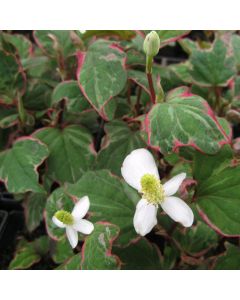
140 171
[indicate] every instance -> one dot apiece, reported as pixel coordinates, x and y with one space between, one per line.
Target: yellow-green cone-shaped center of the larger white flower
152 189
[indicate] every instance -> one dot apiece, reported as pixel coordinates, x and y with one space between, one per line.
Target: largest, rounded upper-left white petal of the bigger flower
136 164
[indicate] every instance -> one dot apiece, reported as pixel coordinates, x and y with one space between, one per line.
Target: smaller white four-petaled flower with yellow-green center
74 222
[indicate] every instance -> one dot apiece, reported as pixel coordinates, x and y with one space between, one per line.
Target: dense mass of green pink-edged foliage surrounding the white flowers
73 105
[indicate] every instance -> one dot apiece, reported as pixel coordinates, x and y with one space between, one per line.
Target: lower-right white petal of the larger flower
178 210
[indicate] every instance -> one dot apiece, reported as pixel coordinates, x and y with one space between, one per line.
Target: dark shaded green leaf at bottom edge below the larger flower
140 255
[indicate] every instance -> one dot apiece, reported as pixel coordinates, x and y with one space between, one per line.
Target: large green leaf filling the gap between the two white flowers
111 200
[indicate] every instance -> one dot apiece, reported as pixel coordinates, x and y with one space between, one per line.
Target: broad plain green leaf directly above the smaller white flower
71 153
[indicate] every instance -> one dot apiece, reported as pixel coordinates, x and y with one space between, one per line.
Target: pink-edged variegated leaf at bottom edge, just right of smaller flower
96 251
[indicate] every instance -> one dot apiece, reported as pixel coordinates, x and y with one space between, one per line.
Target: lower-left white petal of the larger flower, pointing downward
145 217
